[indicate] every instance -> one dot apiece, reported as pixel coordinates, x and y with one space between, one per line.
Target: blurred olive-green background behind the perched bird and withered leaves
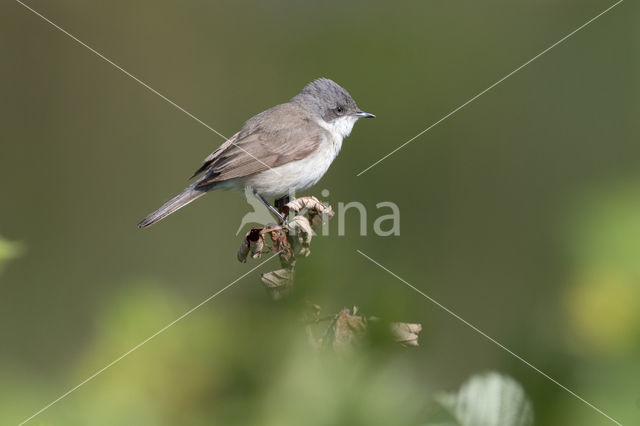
521 212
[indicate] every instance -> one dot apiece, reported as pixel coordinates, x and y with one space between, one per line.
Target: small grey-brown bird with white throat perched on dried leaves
279 151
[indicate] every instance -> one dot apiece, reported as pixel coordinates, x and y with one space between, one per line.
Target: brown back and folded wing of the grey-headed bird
270 139
